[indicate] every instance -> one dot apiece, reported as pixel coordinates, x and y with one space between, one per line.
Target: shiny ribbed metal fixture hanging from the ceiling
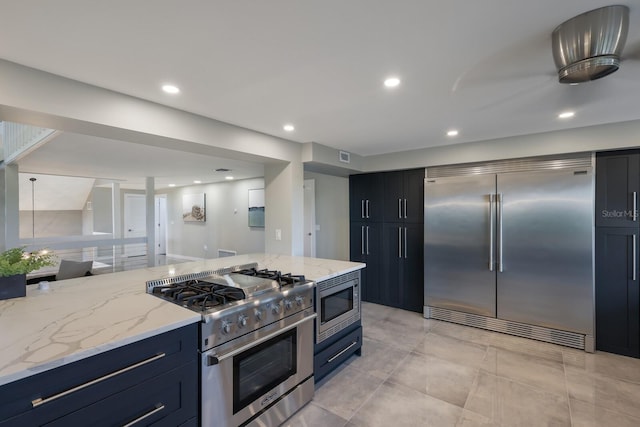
588 46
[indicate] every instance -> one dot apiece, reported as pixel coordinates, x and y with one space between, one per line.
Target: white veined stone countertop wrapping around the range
78 318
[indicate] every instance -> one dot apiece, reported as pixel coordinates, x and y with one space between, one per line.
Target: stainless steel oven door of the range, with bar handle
245 377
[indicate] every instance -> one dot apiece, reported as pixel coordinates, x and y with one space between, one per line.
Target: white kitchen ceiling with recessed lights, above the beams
483 67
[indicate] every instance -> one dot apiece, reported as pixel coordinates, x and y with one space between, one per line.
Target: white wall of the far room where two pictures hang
226 225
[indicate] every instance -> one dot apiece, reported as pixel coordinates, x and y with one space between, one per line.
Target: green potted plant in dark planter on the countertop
15 263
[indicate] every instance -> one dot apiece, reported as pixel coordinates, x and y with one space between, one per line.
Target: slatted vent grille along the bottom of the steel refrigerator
554 336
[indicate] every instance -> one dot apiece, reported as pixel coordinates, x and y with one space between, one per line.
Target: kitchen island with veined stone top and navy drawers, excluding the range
99 347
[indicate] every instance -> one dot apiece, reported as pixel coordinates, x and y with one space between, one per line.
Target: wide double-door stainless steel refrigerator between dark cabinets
509 247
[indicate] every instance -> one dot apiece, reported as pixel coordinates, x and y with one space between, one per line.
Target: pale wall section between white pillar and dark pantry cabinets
332 215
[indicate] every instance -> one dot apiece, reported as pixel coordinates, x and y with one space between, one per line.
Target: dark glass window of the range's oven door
263 367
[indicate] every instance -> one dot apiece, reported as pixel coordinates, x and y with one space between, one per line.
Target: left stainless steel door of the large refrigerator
459 232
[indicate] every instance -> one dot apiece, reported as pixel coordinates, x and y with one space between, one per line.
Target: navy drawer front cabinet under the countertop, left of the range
152 381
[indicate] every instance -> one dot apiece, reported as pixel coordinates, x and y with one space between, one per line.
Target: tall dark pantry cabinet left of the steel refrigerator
387 228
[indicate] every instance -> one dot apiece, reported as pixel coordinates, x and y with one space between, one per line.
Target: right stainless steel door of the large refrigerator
546 223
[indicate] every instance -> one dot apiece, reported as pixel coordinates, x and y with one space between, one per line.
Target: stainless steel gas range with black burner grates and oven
256 342
